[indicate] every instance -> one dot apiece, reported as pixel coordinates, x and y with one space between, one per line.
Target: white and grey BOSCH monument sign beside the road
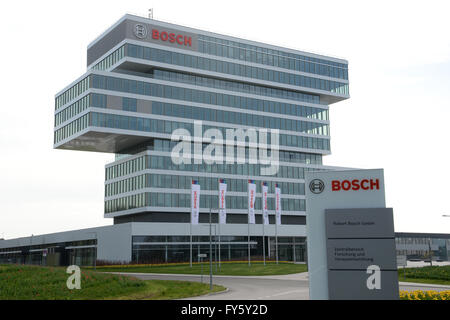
349 189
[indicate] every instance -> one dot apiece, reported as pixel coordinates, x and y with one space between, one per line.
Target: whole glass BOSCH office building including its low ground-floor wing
147 80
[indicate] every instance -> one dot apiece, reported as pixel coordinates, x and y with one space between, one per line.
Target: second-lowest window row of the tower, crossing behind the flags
184 182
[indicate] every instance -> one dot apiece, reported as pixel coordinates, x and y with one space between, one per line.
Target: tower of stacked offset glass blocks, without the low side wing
147 78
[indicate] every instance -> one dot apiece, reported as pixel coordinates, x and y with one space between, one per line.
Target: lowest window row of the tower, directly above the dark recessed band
176 200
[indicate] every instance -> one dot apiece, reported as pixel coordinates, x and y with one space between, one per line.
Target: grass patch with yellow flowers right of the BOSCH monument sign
432 275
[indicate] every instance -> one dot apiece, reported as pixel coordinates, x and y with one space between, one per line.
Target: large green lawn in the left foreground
19 282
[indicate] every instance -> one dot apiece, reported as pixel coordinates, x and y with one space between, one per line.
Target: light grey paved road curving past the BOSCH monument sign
285 287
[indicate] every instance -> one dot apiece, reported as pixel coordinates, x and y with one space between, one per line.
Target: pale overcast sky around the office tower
396 118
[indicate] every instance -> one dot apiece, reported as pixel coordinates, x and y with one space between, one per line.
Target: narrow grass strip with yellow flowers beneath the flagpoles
227 268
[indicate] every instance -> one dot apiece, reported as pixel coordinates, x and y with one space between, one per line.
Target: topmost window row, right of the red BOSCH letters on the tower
271 57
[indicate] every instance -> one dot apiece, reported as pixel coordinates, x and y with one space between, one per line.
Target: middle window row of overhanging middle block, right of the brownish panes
245 119
